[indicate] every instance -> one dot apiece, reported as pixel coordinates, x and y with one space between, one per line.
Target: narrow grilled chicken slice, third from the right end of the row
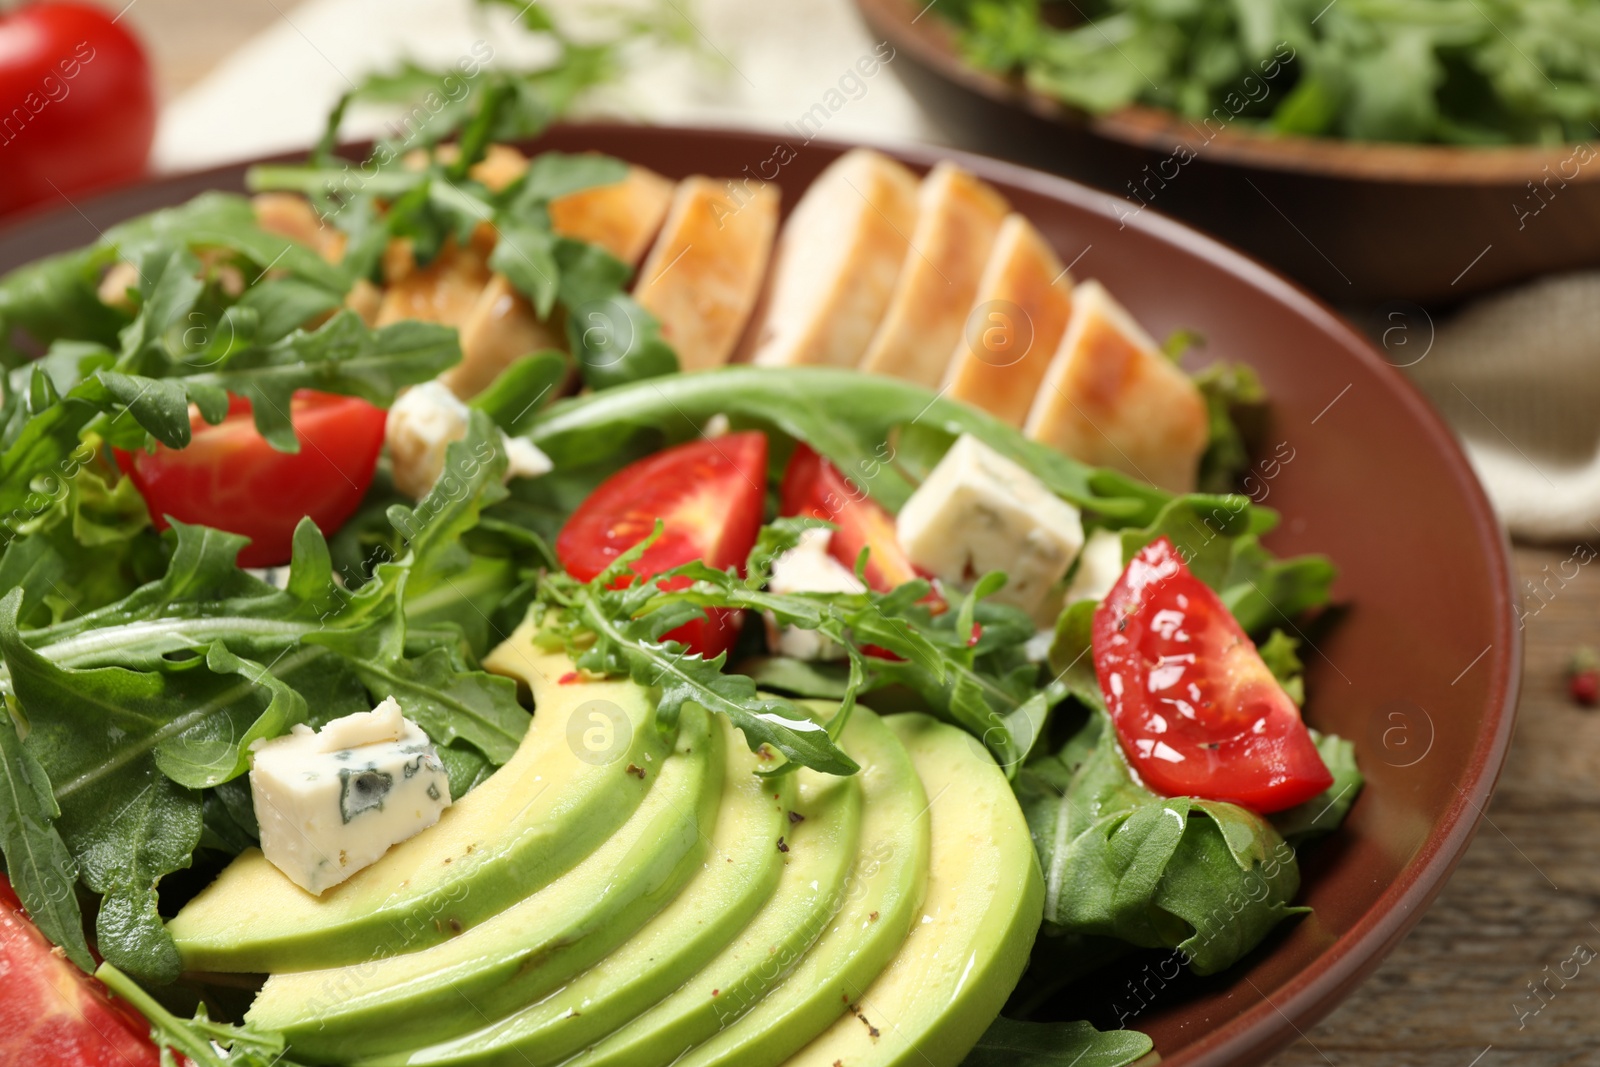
958 222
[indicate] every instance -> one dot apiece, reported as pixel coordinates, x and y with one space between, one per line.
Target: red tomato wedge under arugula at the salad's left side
230 478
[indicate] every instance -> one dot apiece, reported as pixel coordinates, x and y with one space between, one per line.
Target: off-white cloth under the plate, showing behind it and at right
1518 375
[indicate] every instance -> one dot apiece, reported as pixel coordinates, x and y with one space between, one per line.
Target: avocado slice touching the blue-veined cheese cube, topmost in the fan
527 825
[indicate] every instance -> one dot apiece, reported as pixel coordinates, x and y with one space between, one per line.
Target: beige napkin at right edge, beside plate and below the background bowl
1518 375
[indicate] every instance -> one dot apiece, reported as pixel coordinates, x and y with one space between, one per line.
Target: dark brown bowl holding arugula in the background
1354 222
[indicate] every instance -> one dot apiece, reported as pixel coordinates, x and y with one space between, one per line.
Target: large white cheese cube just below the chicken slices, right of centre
982 513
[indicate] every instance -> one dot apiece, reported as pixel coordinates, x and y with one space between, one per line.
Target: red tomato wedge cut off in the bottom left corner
52 1013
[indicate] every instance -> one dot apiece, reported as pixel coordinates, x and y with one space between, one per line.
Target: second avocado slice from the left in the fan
527 951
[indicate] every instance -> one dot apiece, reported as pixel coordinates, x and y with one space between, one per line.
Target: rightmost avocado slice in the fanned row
983 909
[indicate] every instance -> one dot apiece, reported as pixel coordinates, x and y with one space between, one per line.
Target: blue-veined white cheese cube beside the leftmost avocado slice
335 801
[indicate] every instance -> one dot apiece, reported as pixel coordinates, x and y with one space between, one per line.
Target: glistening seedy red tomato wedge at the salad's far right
1196 709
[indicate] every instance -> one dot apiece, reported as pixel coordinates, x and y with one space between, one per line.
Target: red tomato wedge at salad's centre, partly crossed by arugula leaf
710 497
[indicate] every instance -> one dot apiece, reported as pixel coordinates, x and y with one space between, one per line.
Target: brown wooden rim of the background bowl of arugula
1159 130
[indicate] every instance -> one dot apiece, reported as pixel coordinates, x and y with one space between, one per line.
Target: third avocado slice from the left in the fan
740 877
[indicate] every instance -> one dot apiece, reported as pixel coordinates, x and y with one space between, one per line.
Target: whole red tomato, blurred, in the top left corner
78 105
